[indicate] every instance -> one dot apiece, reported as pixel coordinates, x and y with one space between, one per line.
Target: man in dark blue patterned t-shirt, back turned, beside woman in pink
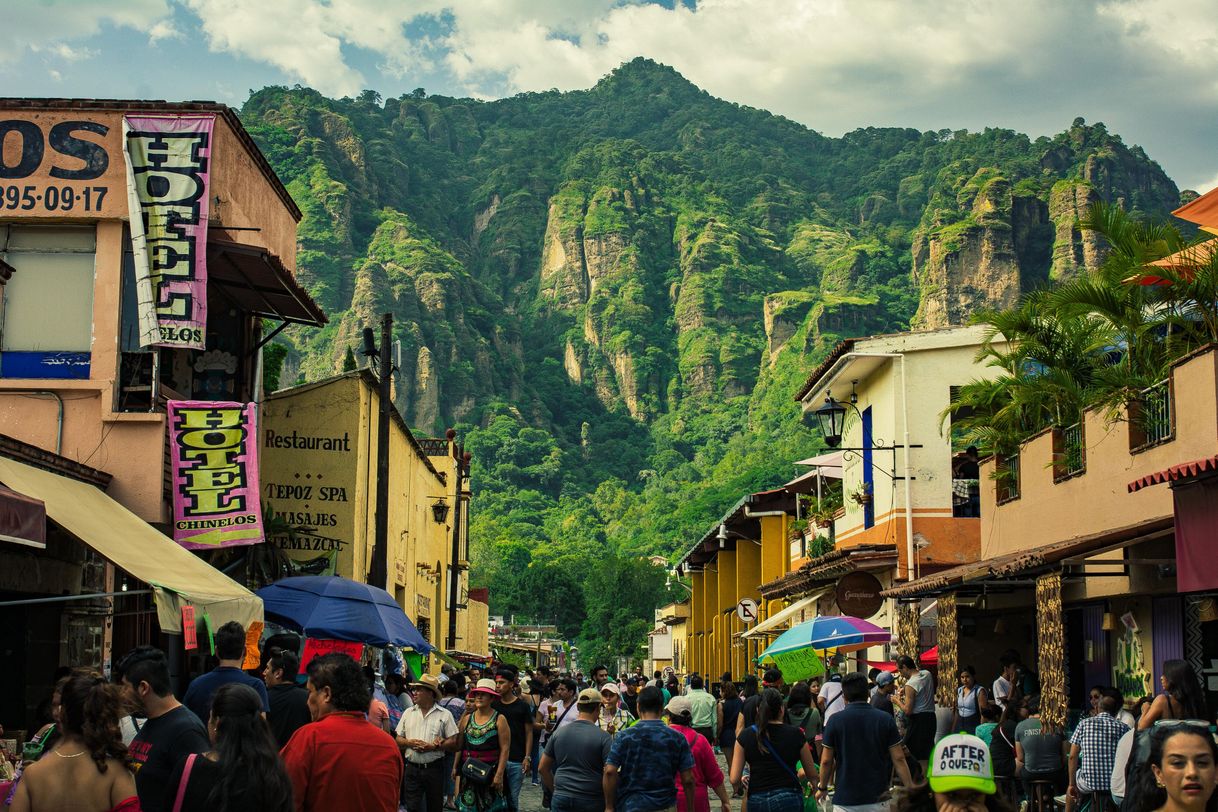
644 761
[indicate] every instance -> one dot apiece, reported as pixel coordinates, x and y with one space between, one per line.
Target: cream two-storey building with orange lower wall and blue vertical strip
910 495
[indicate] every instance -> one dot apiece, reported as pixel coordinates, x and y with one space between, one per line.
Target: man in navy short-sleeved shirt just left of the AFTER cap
862 747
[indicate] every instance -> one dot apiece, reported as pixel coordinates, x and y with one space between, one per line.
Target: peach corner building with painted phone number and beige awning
91 356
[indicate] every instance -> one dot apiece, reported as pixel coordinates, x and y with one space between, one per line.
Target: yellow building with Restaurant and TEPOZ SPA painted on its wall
320 481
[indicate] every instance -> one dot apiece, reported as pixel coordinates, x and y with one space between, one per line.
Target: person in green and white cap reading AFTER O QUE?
960 779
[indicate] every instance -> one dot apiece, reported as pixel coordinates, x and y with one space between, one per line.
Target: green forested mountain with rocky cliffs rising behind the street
614 294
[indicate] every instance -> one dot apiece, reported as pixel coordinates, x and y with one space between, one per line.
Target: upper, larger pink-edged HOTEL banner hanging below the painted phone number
167 192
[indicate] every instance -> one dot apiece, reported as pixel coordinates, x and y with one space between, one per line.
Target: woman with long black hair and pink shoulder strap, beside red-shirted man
243 772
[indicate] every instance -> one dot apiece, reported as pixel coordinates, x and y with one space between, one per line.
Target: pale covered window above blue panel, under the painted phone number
47 317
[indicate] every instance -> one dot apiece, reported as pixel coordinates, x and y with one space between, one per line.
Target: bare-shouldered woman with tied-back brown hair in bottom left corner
88 769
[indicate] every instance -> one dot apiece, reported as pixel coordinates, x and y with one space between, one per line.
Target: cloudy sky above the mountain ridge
1147 69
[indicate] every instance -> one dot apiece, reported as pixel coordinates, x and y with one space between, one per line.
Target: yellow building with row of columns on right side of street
745 550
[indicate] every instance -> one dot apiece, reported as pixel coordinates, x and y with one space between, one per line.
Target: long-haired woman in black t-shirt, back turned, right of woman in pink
774 753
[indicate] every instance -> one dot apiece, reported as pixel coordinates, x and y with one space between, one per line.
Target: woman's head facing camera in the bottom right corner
1182 772
